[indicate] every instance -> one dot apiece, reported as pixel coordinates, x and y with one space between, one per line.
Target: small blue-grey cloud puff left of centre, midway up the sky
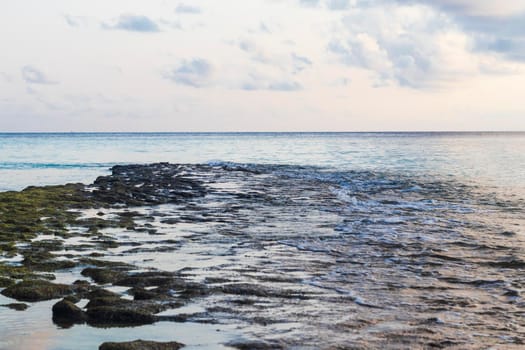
195 73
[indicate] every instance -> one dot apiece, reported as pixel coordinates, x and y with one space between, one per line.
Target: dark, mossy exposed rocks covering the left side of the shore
57 212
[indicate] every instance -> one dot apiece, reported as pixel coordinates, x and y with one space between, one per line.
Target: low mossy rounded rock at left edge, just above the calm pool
37 290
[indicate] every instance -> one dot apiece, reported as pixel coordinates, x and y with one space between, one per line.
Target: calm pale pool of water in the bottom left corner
33 330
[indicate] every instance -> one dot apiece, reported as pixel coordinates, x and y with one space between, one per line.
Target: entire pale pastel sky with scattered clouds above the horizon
262 65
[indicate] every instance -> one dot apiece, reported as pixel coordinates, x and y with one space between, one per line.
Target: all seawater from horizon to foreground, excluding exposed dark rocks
293 240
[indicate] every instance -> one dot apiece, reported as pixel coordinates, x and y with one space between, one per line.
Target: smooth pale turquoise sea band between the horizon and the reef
490 159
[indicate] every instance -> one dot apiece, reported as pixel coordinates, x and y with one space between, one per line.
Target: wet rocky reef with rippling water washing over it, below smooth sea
290 256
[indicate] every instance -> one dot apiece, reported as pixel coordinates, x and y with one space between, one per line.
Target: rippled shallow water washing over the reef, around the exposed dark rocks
321 258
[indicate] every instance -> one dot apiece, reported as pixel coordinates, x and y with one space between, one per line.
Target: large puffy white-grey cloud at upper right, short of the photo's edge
411 45
